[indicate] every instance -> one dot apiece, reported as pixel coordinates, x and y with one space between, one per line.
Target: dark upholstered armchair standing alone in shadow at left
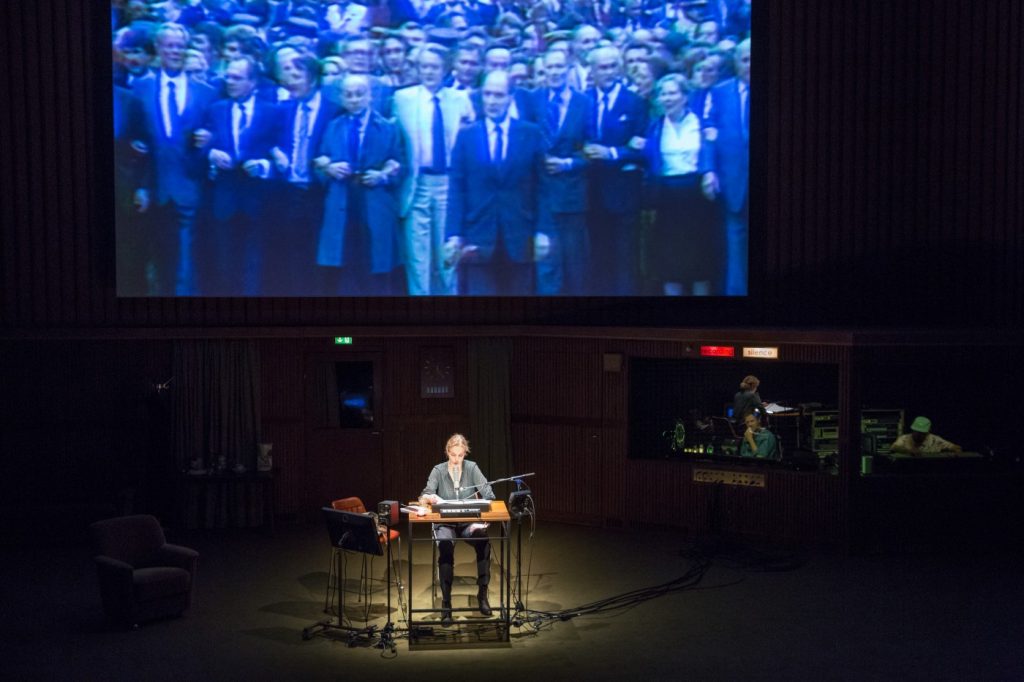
142 576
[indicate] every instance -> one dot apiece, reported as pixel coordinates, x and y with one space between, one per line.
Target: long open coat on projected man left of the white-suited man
381 143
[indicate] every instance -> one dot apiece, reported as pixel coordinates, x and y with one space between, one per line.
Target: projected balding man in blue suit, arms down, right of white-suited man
493 204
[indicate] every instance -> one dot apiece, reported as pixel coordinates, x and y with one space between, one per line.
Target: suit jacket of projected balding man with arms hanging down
486 199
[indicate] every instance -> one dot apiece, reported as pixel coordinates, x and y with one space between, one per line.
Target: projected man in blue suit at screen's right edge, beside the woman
730 134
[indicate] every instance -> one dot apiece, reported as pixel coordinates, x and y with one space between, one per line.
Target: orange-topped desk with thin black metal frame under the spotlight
498 517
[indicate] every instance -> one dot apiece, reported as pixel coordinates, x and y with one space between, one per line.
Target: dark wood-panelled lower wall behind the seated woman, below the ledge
82 423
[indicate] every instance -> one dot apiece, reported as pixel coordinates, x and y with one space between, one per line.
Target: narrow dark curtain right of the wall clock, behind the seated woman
490 412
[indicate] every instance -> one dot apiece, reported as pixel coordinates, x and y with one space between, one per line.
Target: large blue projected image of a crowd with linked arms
432 148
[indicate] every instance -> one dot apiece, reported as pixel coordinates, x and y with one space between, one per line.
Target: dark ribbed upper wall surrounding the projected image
887 181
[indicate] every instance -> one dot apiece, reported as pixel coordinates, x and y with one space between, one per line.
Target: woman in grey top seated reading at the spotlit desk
459 479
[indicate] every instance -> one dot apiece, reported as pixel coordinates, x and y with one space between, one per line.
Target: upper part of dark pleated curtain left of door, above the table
217 407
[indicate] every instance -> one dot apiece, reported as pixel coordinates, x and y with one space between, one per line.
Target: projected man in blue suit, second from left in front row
240 135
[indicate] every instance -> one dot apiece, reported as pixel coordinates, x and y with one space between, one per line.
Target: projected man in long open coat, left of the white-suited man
361 161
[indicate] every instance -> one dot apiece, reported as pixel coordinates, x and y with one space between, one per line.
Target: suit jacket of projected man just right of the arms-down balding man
566 192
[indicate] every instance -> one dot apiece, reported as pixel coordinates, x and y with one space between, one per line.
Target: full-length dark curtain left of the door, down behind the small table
217 422
